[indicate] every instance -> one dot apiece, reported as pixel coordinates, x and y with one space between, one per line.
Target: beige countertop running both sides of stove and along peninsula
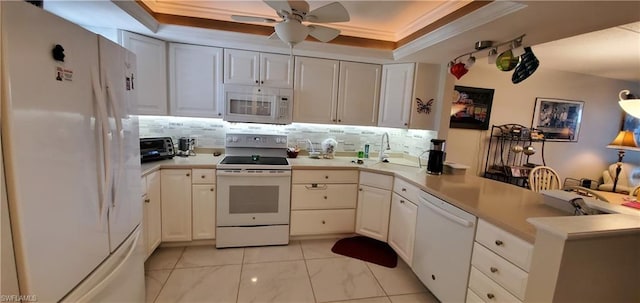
504 205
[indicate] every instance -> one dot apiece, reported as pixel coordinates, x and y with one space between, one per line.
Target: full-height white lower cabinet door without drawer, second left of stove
176 204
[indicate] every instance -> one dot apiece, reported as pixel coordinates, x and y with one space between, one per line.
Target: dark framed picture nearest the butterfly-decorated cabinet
471 107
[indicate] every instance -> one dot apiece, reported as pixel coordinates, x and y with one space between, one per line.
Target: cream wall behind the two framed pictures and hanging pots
514 103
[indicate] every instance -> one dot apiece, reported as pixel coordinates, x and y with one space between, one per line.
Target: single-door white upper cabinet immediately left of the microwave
195 77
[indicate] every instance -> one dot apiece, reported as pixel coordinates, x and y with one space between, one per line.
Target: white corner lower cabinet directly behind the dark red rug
374 202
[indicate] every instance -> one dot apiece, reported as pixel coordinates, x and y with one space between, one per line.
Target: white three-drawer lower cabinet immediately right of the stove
323 202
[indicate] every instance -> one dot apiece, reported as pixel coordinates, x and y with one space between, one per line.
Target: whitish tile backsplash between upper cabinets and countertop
210 133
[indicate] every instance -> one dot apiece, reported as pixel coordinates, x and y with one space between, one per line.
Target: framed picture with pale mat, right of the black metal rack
558 119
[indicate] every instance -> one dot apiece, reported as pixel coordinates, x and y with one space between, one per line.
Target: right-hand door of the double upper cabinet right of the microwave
358 93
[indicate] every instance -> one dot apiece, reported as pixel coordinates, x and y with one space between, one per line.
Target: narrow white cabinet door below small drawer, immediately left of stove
204 211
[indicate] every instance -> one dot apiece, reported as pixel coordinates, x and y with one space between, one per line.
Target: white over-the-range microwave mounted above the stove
245 103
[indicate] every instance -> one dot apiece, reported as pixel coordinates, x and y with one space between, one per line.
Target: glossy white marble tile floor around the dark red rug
303 271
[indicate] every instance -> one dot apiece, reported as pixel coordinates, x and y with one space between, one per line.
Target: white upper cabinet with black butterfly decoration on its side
408 96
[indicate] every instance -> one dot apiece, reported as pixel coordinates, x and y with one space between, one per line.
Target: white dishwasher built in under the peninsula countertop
443 244
